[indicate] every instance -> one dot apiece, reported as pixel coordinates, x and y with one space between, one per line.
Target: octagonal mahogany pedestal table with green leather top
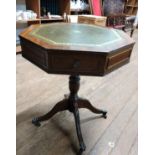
75 49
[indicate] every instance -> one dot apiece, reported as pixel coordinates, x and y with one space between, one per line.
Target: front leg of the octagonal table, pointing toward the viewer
78 129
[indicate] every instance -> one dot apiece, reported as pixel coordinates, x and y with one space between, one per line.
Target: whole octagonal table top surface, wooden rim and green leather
72 36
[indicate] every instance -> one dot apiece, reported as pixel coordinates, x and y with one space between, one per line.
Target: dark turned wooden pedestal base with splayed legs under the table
72 104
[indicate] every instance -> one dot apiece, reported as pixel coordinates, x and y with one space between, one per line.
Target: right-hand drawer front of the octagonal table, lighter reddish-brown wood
118 59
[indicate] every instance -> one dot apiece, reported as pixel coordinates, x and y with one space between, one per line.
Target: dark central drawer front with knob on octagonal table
75 63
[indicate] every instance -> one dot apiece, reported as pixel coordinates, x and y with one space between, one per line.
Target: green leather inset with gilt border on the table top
75 34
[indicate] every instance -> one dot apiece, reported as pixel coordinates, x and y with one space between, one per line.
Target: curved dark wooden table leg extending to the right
83 103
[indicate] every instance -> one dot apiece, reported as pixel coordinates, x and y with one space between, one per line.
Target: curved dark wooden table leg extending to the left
60 106
